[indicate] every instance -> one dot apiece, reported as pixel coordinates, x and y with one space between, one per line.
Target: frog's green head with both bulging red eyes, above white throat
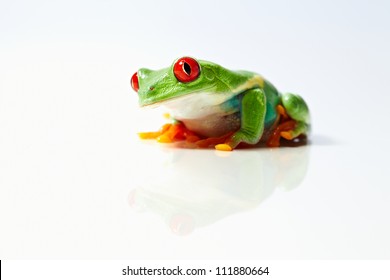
185 76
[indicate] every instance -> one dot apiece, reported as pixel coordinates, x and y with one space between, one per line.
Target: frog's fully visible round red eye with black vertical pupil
186 69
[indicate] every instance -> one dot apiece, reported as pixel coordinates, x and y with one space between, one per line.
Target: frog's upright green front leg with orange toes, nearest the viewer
253 109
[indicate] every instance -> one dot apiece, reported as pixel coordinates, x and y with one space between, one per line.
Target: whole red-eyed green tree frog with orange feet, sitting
211 106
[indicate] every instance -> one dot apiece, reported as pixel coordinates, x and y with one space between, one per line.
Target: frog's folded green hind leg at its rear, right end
297 109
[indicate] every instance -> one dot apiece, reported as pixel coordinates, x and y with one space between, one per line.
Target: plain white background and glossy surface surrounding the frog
76 183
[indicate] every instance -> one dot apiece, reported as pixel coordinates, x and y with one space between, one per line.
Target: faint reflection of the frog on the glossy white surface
199 188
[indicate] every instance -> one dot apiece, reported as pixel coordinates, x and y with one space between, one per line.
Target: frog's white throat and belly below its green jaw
204 114
